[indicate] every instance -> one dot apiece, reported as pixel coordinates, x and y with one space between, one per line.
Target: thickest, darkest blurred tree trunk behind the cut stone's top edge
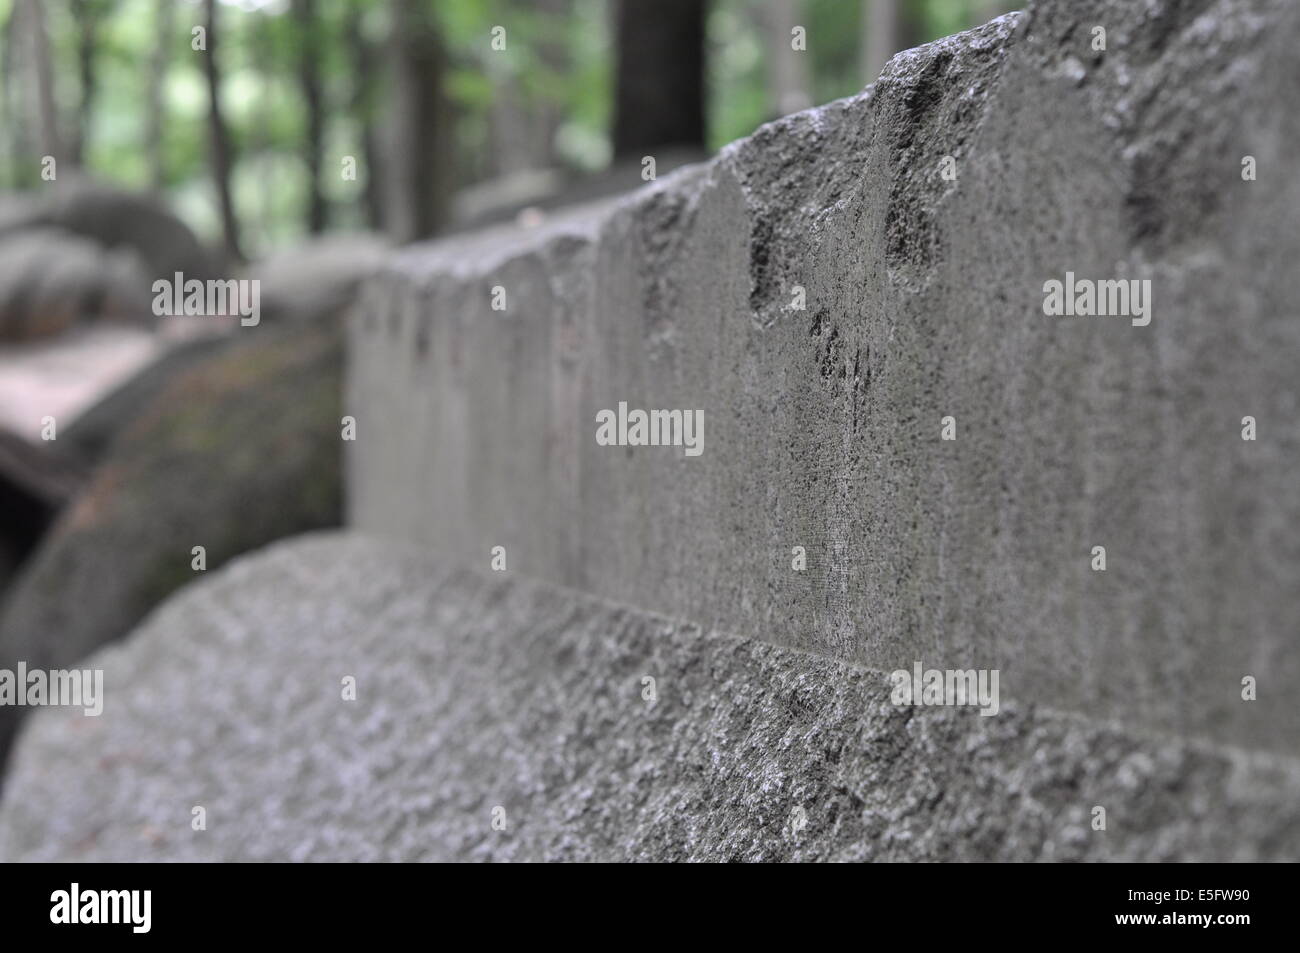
660 94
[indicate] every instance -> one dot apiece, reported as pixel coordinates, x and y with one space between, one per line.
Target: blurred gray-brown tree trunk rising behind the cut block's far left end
418 170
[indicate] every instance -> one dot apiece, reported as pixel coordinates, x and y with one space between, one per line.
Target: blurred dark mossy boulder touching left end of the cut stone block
235 453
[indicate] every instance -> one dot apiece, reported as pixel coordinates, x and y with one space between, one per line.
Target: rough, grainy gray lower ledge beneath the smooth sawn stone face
476 691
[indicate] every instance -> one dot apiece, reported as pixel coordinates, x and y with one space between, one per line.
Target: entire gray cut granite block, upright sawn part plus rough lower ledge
925 298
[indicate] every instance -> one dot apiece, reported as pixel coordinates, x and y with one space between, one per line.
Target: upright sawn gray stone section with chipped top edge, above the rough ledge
924 300
